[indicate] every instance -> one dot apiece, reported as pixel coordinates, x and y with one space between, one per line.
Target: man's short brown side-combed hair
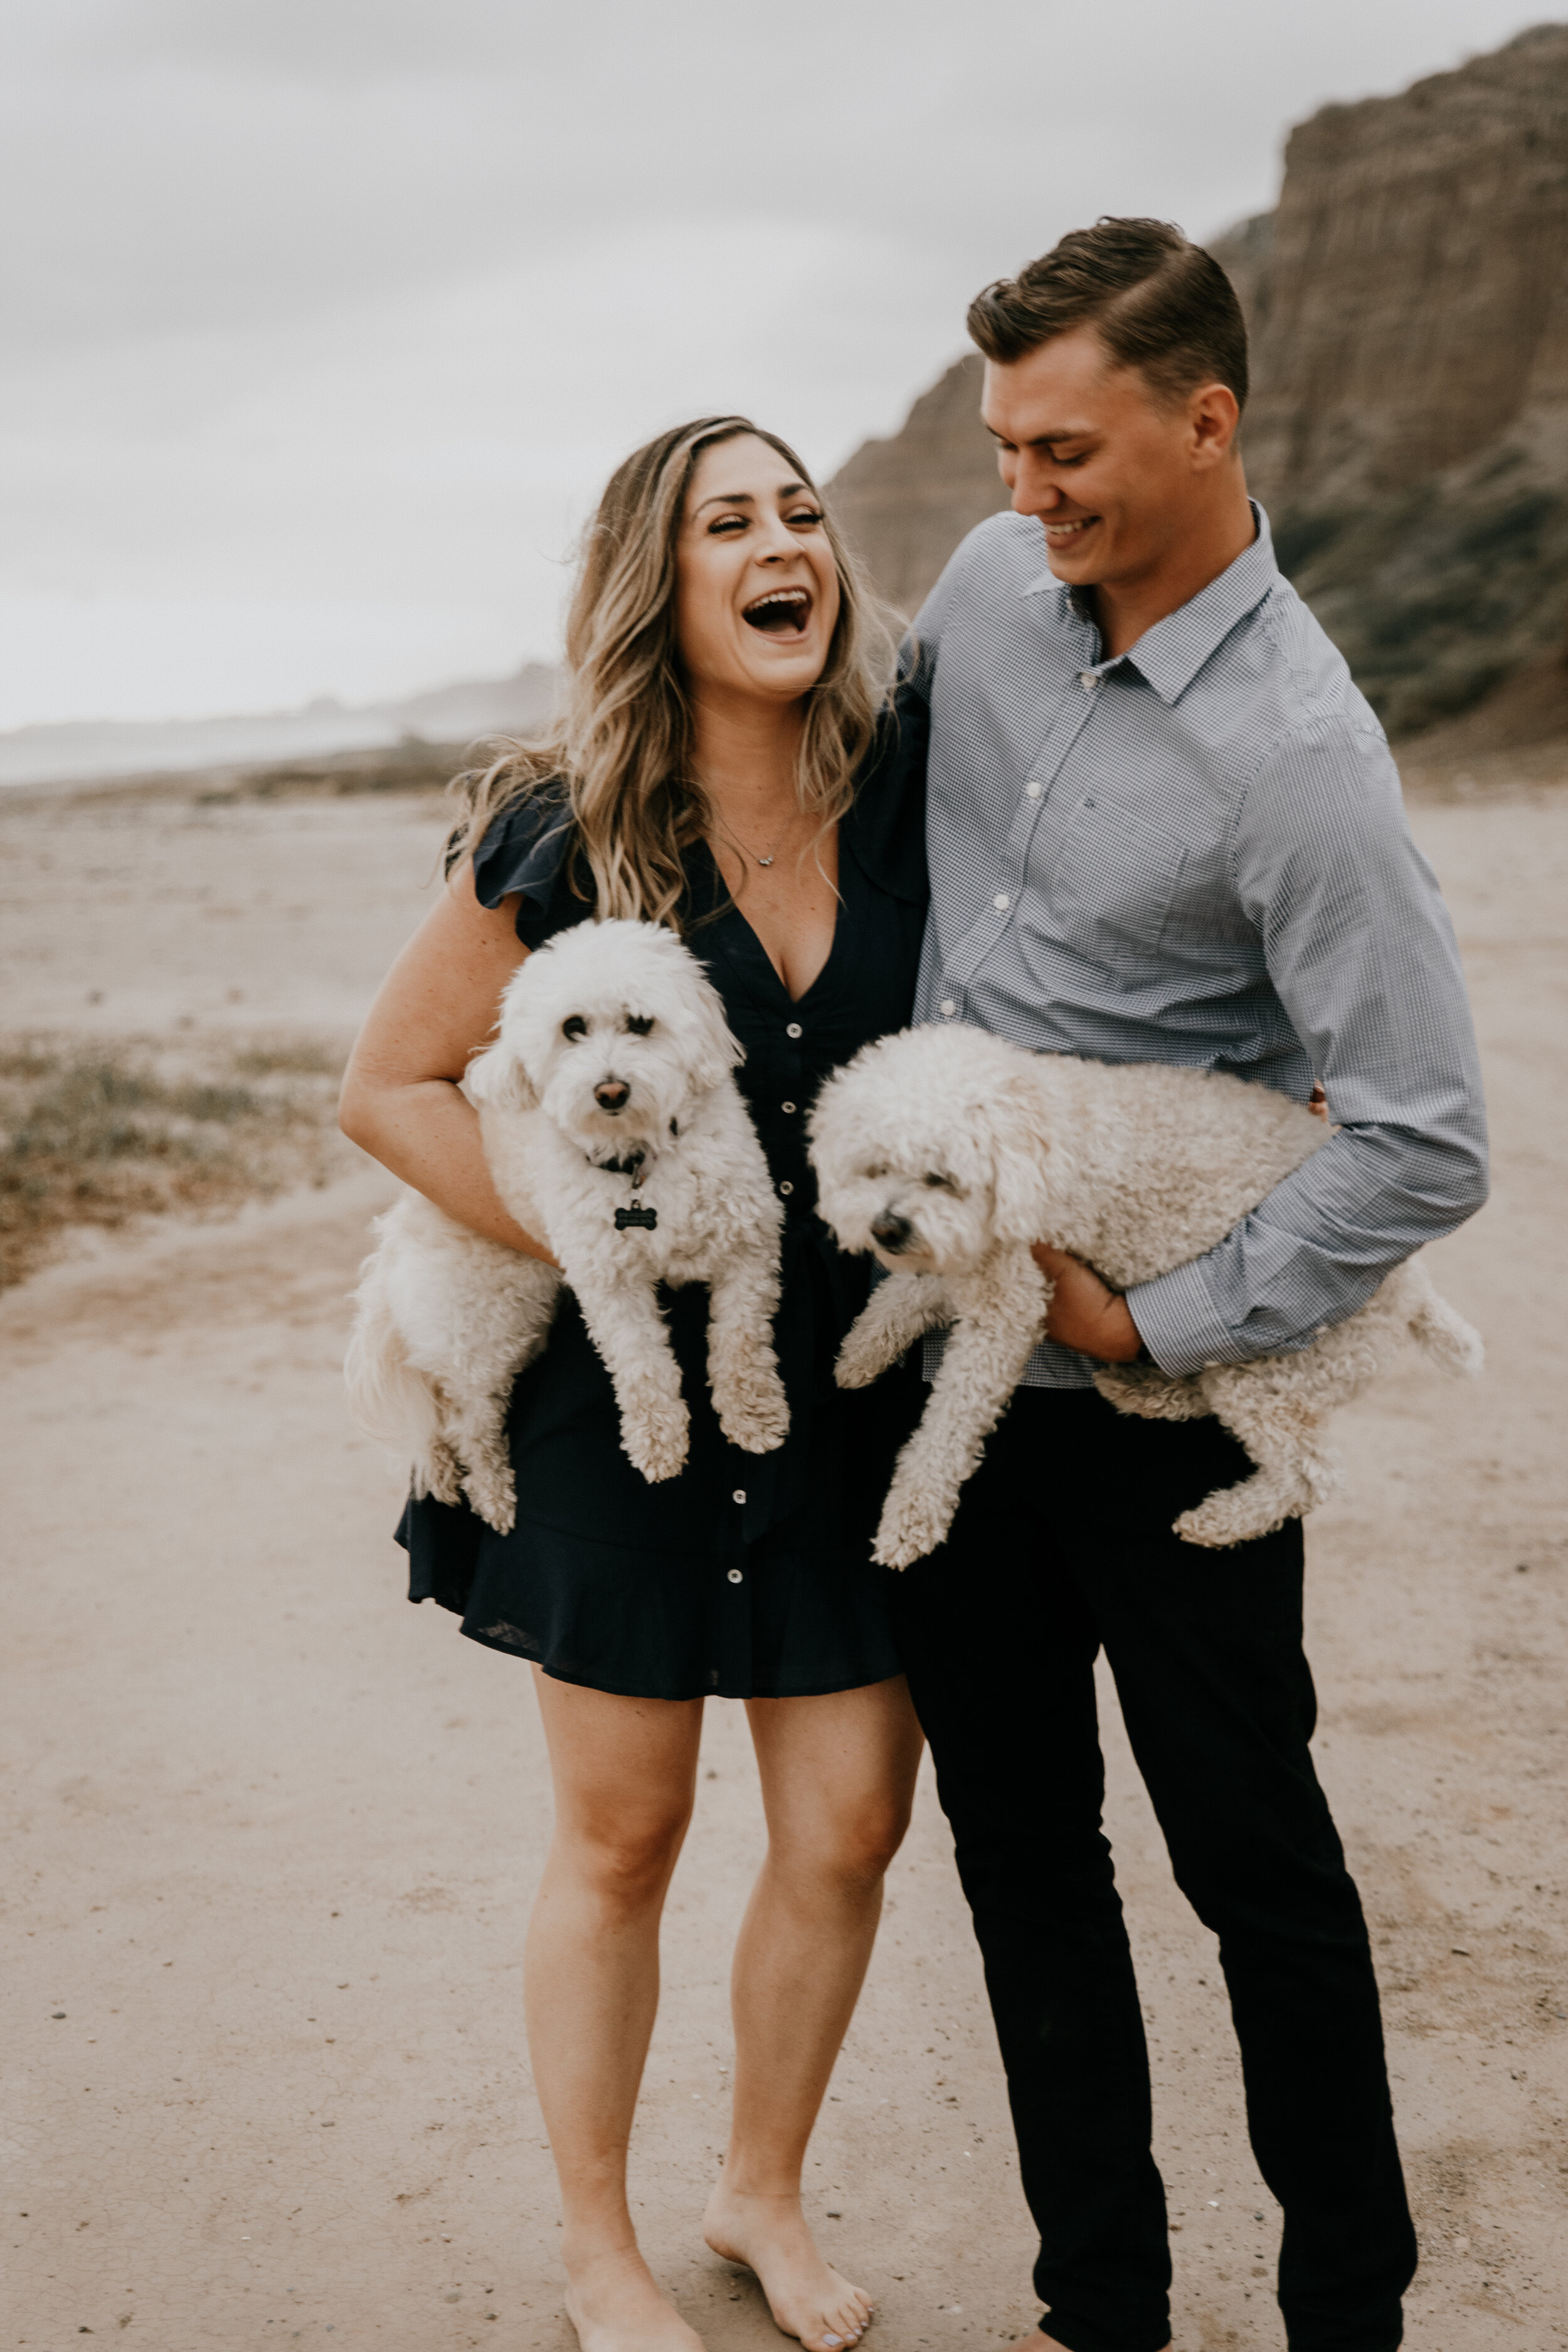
1158 305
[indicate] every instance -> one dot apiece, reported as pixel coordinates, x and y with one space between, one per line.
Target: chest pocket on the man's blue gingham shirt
1104 881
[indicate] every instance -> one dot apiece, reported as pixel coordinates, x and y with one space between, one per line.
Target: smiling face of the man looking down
1113 472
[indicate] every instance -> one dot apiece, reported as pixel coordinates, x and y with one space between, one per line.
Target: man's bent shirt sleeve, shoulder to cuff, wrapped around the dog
1365 961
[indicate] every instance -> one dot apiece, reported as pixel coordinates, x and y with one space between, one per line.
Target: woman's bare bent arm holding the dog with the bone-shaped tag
401 1093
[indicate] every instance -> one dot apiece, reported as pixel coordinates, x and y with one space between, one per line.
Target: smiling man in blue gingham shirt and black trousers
1165 827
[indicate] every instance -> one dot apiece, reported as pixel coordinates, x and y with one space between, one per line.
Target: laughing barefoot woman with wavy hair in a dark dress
728 766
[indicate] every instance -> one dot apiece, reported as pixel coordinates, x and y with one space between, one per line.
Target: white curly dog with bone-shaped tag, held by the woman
617 1135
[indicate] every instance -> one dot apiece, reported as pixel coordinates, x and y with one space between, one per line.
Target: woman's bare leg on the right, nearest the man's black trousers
838 1779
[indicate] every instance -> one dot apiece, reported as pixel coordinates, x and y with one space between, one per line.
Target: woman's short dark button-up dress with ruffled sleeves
749 1575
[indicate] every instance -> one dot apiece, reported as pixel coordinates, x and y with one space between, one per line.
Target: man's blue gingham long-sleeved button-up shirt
1198 855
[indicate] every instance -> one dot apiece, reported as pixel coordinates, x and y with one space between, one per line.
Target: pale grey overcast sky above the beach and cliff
328 319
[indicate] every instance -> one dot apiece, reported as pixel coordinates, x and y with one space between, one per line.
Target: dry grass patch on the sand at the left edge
100 1132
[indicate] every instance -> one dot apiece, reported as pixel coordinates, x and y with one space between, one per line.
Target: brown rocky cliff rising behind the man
1409 420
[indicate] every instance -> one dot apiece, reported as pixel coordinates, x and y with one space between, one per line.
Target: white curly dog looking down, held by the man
949 1154
